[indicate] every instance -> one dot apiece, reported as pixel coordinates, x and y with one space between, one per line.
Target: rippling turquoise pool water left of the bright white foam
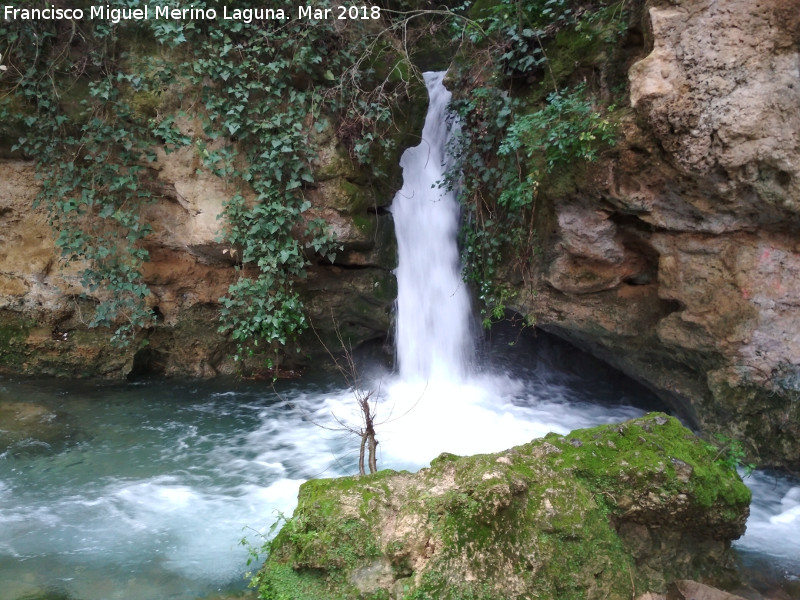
138 491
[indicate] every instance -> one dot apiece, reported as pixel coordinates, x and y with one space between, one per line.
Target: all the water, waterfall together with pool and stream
144 491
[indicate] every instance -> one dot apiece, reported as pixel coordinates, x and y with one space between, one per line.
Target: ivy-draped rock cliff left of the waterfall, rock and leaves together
184 163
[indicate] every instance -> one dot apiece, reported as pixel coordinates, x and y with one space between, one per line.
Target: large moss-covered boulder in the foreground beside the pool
602 513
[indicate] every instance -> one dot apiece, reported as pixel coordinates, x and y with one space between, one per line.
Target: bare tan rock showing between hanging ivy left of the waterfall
44 308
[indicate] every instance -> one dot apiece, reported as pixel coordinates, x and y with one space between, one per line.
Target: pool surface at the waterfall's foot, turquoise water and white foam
144 491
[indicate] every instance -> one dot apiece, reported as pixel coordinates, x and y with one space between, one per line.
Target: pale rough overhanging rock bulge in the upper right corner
720 89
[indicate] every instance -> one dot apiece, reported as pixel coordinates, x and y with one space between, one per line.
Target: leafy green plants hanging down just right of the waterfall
513 139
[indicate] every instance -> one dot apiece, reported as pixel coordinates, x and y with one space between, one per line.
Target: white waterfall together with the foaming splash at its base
438 403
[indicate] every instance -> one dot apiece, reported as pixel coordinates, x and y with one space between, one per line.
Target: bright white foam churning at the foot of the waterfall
415 421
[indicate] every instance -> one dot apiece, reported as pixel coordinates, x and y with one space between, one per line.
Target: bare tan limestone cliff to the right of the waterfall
676 256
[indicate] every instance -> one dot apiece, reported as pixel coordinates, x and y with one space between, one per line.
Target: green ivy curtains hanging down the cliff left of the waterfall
261 93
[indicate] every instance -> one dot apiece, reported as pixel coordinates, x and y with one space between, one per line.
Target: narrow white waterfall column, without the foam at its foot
433 309
